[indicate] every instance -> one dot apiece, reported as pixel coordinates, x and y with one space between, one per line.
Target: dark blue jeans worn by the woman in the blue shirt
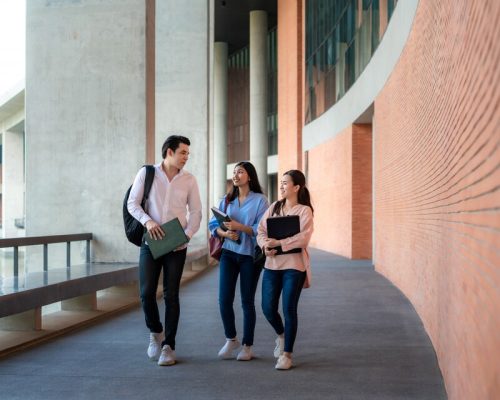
231 265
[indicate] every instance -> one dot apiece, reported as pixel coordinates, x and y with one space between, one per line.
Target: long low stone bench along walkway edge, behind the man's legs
76 287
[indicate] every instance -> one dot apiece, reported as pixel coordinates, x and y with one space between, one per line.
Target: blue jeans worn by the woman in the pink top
290 282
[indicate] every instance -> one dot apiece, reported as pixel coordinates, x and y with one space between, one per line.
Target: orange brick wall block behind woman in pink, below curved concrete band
340 183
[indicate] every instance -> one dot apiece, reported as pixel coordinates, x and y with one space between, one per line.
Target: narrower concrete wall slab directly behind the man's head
184 48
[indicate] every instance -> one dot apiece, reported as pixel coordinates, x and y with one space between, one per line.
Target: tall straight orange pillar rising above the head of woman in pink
290 84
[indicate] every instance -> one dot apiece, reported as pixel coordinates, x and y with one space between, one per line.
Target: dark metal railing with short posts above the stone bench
45 241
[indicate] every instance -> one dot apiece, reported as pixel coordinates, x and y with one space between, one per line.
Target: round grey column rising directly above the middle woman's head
258 94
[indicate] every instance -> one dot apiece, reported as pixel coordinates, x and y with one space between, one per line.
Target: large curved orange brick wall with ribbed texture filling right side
437 187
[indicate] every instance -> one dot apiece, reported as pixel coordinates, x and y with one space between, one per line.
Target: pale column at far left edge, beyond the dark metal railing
12 183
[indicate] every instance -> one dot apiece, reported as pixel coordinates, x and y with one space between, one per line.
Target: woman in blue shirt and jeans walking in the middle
245 204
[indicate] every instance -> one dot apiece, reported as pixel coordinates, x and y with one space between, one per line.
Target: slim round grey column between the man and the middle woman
220 121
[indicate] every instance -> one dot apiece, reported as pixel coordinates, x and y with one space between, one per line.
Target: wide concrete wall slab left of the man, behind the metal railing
85 118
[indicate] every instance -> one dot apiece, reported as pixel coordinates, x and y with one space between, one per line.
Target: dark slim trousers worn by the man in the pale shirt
172 265
